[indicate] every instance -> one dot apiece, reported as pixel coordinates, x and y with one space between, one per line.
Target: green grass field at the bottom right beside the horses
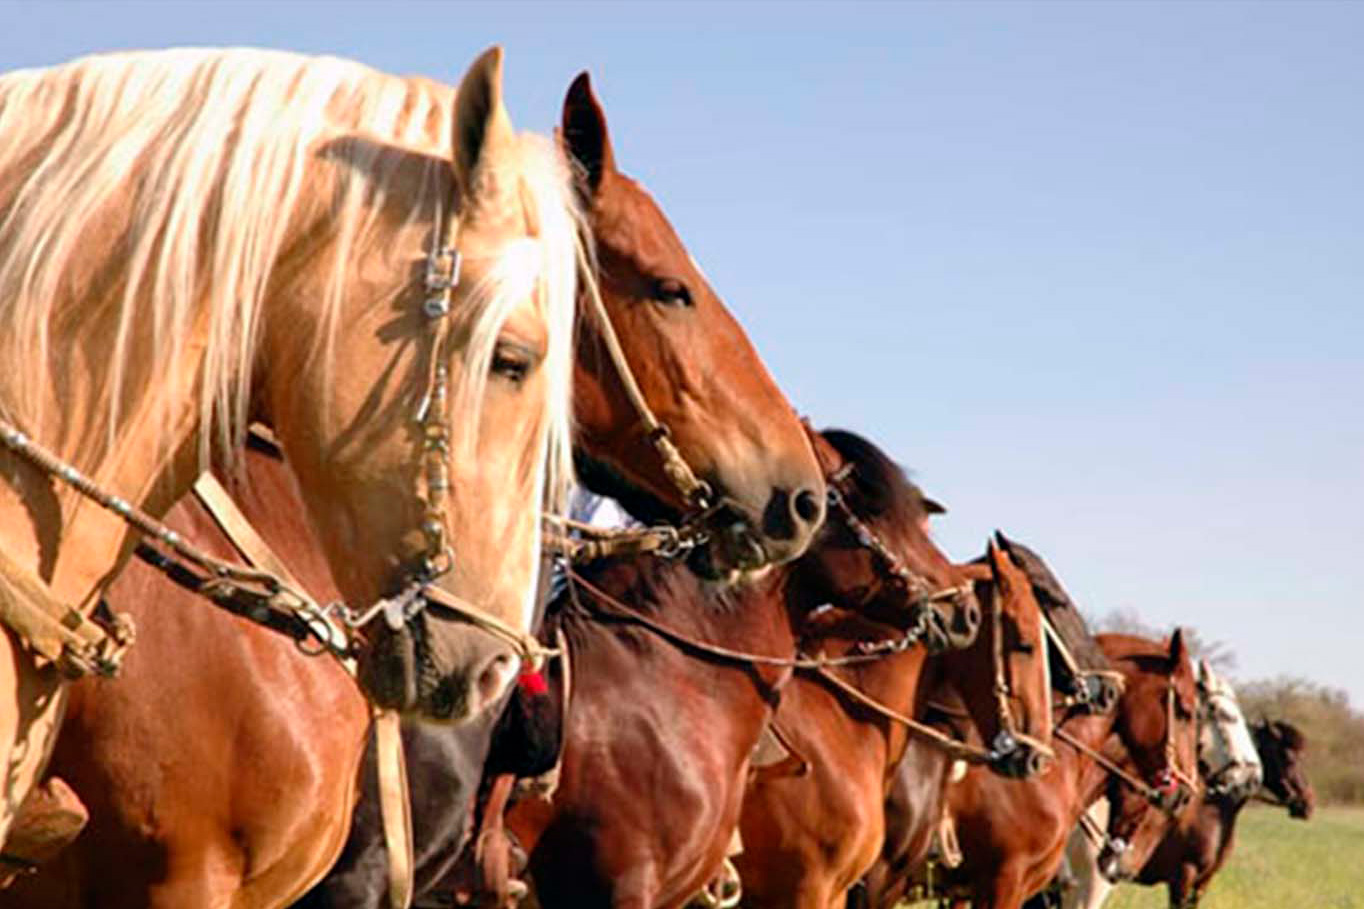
1280 863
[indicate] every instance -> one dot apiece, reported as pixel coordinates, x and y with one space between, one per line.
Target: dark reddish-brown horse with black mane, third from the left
653 783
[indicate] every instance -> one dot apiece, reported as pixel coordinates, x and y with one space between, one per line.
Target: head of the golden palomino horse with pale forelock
434 429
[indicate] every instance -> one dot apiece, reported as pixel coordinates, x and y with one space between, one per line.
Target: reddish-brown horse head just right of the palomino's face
696 371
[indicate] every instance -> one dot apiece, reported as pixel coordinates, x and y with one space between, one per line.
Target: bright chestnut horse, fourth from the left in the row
810 837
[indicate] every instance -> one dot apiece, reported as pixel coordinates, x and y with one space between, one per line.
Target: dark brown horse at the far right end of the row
1189 851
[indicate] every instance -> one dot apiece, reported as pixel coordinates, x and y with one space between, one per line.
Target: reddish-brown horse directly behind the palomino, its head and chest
235 787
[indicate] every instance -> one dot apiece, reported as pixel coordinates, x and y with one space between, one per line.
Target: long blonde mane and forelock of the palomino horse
159 190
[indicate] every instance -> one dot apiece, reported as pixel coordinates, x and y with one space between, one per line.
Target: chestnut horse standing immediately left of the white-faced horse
1013 833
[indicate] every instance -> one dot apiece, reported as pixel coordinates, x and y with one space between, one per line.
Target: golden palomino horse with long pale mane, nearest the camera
197 240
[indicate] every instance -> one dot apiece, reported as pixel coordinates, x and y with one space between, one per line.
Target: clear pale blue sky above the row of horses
1095 272
